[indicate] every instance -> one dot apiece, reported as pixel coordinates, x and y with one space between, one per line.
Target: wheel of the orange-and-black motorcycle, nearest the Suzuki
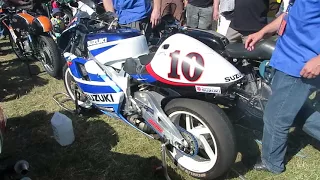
49 55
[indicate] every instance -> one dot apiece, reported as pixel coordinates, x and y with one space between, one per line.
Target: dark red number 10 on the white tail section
185 66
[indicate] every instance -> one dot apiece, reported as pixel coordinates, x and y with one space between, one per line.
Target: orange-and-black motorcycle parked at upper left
29 36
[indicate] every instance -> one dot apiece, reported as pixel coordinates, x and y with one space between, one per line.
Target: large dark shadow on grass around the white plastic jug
89 157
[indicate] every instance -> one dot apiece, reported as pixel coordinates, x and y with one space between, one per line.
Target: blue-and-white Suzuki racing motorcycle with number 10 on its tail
153 92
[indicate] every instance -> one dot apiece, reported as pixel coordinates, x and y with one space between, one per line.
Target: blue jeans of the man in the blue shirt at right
288 96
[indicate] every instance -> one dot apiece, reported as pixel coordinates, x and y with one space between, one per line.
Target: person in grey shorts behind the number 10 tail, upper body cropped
199 14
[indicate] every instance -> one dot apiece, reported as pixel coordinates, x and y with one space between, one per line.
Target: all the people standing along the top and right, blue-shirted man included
296 57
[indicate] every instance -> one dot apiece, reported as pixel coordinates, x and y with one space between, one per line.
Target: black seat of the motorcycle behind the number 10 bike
262 51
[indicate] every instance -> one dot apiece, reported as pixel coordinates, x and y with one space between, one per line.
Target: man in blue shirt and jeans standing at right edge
296 59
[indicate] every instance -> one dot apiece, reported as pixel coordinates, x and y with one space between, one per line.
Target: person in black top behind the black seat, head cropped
249 16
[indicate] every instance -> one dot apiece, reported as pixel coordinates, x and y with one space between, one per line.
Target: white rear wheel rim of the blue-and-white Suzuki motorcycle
197 163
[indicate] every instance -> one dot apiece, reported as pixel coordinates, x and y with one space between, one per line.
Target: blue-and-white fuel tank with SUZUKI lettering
116 46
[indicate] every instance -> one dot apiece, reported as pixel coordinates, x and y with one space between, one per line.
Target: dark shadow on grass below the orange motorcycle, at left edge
16 80
